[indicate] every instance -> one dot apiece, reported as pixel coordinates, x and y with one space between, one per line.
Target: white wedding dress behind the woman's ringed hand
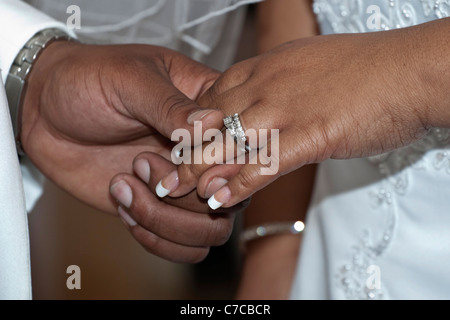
379 228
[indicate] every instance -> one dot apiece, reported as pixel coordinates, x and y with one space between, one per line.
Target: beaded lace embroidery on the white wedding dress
351 16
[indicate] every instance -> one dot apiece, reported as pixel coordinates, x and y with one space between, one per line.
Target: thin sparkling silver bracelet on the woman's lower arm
293 227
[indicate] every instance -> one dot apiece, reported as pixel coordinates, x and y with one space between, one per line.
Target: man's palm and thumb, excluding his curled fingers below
89 110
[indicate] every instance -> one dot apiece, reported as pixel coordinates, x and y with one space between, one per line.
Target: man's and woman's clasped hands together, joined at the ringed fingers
89 110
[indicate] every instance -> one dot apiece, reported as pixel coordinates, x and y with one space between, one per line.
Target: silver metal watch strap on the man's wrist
17 76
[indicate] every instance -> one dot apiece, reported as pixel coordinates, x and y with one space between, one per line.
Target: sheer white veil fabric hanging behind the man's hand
201 29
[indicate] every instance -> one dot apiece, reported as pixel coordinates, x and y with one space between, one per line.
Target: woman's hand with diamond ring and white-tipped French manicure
339 96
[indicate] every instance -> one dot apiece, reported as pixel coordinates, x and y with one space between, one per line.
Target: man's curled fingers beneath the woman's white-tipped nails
181 229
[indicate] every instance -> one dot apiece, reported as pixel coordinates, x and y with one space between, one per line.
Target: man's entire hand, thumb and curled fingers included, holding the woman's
90 110
